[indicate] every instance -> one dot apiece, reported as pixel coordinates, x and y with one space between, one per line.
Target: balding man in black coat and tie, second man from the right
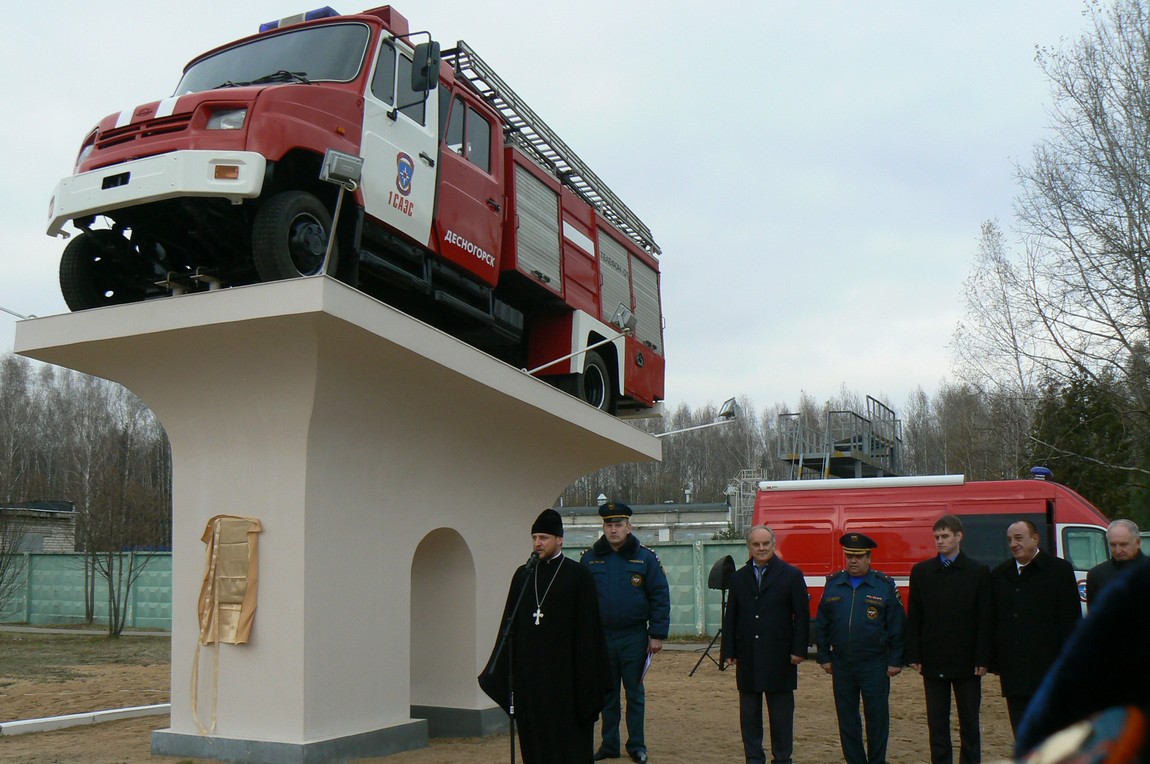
1036 612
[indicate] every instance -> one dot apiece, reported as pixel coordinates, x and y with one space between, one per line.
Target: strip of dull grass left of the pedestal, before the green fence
58 658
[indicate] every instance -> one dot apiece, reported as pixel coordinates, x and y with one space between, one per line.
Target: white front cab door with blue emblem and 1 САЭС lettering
401 131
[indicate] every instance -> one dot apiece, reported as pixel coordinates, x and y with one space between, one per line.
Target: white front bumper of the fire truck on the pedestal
233 175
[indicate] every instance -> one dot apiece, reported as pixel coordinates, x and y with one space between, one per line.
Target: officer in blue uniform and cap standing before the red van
860 635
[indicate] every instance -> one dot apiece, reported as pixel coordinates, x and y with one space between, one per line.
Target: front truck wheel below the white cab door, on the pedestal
290 238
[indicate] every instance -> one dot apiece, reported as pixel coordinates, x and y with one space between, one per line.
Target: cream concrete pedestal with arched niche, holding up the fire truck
396 472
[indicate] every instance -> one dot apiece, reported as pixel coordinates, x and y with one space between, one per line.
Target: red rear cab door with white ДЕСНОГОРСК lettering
470 218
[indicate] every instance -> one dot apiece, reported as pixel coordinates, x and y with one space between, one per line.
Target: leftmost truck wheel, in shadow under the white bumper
97 270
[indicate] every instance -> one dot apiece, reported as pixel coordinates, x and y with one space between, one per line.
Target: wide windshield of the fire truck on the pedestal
332 52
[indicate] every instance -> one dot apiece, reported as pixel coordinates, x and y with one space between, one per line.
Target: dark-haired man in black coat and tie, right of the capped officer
948 640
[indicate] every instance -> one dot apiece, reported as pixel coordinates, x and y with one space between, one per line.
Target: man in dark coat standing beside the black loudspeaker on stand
765 638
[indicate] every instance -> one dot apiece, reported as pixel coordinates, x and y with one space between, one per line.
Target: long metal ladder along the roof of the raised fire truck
547 148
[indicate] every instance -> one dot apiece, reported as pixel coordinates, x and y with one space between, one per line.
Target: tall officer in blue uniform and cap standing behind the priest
635 609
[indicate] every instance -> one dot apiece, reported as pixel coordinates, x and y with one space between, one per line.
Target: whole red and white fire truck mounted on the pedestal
463 209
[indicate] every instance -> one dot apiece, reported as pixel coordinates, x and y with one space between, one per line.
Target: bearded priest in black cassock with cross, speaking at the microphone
561 677
